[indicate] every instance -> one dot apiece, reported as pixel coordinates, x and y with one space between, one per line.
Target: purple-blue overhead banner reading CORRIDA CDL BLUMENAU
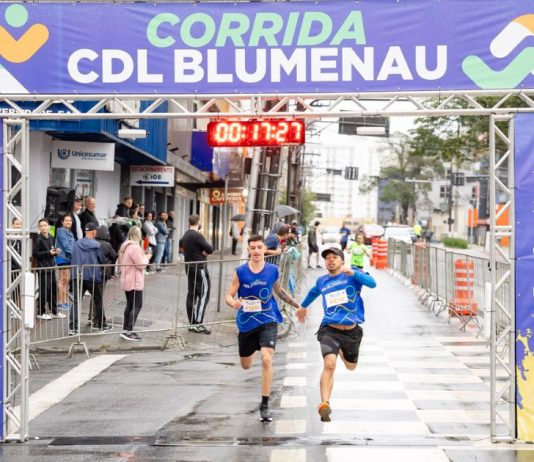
284 47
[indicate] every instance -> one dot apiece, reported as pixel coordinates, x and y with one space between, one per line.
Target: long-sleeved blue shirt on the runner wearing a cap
342 303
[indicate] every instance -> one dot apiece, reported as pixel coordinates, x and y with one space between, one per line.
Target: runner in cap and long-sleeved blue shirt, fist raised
340 332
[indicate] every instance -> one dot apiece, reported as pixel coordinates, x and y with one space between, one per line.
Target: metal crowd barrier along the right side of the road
448 280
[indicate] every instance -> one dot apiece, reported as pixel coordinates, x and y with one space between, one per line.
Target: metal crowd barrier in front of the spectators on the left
73 303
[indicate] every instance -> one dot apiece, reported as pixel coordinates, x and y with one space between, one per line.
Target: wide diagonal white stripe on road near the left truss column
57 390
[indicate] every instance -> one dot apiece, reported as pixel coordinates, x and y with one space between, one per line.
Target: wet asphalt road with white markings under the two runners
419 393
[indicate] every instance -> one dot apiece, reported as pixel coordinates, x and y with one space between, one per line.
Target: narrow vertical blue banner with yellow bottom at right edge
524 283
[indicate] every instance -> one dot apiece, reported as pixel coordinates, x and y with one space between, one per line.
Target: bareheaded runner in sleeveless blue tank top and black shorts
255 283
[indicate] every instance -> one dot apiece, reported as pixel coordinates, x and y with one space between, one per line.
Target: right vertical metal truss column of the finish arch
502 308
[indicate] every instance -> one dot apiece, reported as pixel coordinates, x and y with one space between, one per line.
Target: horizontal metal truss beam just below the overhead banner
330 105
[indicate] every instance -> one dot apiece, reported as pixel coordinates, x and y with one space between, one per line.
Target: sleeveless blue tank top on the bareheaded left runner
259 306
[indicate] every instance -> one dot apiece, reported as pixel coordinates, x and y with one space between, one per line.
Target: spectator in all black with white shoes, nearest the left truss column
44 253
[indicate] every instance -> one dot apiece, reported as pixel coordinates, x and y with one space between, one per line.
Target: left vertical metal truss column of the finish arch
16 254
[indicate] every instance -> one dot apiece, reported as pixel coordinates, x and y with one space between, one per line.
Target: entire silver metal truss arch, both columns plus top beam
18 110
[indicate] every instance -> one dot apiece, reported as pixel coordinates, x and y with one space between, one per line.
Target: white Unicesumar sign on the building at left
82 155
